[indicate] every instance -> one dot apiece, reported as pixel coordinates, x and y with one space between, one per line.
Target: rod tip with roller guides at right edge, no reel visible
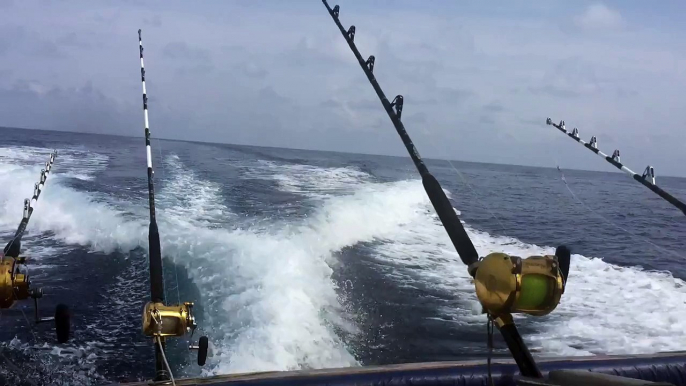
647 179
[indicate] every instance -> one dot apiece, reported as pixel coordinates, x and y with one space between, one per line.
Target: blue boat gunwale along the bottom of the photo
649 367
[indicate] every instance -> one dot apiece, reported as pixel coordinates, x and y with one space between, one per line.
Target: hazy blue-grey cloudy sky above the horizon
478 78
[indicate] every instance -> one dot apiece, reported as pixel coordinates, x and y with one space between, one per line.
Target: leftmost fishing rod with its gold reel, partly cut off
15 284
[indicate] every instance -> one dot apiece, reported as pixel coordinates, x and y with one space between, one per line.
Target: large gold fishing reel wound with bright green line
508 284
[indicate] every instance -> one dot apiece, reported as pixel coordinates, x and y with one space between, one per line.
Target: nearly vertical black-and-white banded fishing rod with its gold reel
159 320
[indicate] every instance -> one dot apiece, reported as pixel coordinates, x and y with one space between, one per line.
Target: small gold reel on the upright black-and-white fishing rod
161 321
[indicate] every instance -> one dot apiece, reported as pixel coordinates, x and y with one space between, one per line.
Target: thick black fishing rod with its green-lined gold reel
504 284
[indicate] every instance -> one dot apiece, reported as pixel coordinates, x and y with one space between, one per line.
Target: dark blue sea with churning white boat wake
302 259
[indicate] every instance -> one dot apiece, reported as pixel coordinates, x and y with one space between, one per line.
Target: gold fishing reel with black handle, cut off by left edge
15 285
